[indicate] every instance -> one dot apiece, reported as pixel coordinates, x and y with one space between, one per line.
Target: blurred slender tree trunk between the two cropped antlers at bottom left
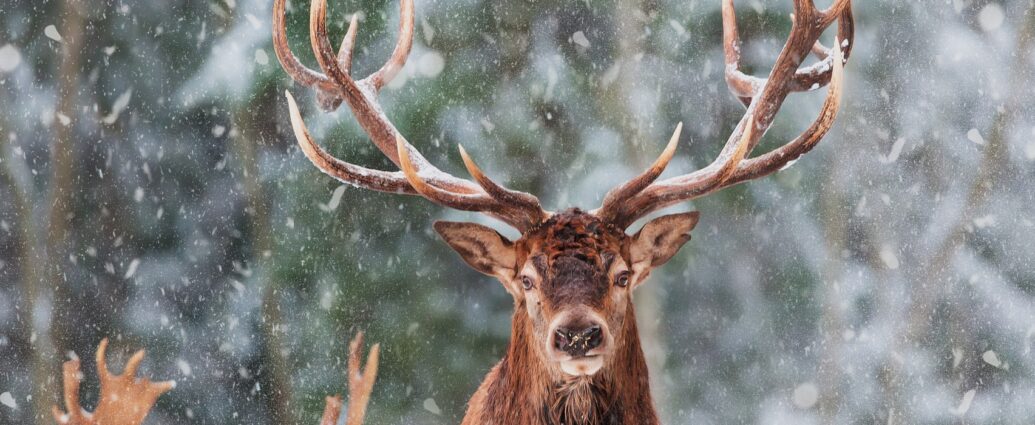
278 381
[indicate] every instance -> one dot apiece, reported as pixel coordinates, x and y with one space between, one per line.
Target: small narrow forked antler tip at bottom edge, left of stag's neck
361 386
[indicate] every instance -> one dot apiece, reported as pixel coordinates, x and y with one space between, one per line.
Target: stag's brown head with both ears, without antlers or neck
574 278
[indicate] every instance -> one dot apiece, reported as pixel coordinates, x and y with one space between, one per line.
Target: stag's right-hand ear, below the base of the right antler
661 239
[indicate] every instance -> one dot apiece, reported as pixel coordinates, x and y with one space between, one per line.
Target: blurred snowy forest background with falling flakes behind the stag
152 193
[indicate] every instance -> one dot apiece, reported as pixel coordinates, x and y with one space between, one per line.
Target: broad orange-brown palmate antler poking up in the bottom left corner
125 399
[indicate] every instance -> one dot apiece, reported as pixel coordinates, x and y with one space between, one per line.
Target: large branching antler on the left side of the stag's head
335 85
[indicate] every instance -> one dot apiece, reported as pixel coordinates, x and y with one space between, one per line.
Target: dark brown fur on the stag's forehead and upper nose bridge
574 250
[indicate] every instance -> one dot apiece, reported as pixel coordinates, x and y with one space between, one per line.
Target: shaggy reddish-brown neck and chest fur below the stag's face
523 389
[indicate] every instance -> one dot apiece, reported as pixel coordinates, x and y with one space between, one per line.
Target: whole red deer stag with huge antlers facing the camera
575 355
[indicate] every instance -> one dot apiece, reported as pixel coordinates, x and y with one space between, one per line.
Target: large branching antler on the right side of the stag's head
763 98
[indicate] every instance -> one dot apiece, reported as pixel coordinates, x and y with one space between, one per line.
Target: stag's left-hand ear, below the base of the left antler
483 249
